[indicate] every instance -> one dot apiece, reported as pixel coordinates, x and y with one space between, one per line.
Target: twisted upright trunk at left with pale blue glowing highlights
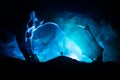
28 38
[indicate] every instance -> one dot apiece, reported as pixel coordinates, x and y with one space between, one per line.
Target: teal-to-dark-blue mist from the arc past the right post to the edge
73 25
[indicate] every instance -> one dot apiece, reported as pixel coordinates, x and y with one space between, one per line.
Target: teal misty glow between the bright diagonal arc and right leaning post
75 28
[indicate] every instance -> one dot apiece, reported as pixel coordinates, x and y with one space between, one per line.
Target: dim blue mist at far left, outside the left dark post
9 48
